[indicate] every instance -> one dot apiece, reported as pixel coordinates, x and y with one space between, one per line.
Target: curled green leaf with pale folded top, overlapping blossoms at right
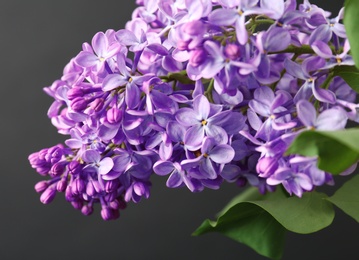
336 150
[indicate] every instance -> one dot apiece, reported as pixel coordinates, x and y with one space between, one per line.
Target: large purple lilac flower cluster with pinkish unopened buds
200 91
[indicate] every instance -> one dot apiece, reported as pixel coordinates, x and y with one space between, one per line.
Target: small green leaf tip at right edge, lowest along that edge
347 198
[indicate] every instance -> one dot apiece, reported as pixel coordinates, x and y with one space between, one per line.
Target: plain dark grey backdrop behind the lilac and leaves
37 39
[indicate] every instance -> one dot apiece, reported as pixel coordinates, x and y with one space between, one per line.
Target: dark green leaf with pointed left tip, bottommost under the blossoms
248 224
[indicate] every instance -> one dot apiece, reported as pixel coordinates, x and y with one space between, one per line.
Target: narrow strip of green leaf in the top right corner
351 21
